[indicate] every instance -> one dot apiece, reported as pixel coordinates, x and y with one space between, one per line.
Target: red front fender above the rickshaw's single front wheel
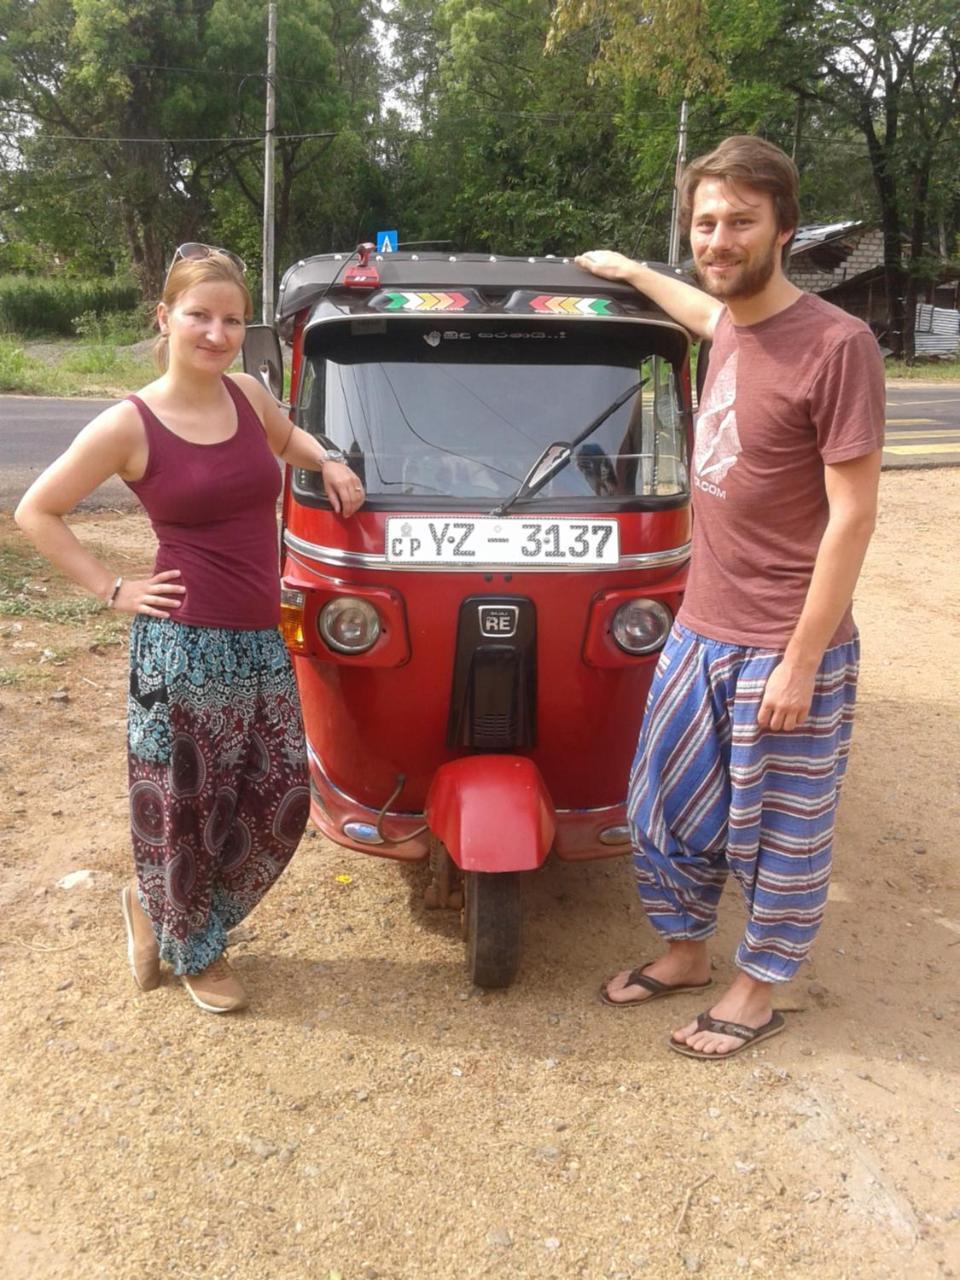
493 813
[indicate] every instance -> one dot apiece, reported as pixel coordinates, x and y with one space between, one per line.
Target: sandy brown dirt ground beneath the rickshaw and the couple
372 1116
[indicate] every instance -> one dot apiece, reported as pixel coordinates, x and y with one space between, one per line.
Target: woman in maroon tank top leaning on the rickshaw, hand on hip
220 794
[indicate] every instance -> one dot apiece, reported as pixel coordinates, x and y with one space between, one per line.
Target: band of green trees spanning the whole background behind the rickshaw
511 127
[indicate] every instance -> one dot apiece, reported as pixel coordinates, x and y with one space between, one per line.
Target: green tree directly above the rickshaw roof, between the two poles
499 147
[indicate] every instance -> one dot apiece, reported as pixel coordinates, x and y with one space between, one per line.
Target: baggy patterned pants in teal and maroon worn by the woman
218 776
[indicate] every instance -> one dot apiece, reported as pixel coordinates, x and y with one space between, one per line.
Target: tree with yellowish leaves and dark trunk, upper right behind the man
886 71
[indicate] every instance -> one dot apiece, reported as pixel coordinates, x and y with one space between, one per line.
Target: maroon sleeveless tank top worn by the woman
214 513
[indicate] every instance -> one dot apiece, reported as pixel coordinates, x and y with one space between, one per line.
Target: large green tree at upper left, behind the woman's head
147 117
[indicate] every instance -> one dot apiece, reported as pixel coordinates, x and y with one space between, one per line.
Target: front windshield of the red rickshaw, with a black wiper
428 413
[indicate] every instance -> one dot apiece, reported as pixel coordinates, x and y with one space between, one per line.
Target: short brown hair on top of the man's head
744 161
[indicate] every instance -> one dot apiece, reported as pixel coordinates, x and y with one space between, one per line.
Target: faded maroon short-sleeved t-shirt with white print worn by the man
783 399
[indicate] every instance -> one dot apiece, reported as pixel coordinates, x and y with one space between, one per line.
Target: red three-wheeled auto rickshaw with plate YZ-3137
476 647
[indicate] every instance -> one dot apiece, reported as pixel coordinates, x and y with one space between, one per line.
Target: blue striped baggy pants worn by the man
711 794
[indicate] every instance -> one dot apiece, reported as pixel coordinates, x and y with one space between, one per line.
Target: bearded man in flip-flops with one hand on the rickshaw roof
748 725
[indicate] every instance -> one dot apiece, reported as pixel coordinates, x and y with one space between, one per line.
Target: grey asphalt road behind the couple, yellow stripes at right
924 429
